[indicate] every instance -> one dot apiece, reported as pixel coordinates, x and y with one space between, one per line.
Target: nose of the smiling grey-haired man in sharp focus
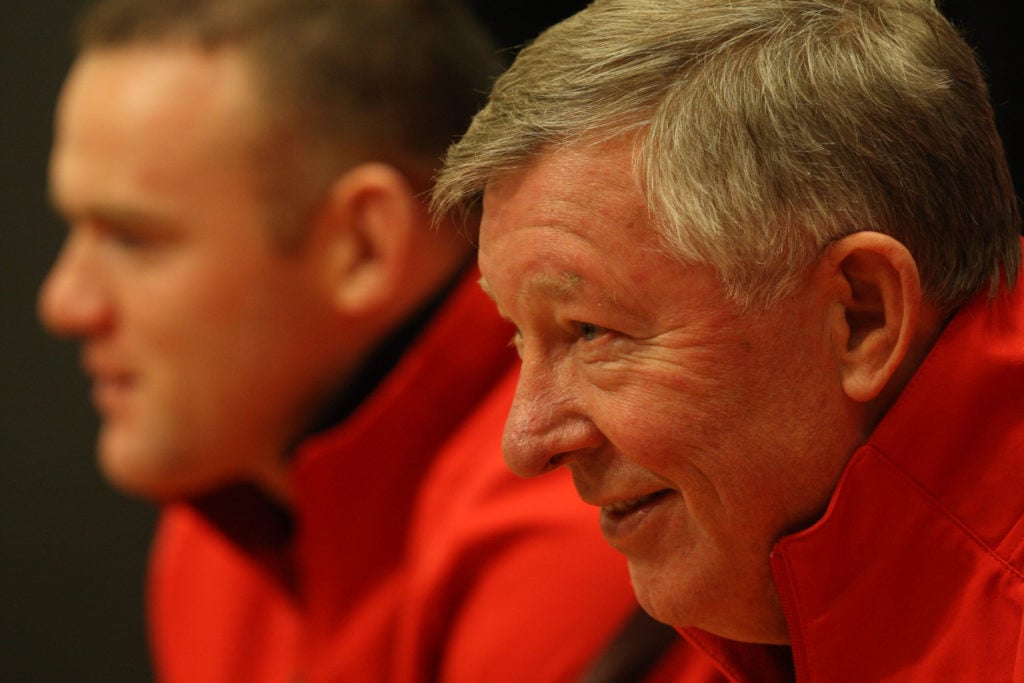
547 425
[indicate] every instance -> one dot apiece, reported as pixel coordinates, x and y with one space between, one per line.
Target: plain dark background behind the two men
73 550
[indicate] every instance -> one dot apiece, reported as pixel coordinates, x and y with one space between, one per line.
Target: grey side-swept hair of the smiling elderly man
766 130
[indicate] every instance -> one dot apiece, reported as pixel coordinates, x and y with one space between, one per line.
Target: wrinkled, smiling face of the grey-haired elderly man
704 434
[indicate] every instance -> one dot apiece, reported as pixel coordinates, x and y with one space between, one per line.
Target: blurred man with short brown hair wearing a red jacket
290 360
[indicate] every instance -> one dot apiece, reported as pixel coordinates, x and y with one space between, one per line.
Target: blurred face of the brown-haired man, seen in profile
196 330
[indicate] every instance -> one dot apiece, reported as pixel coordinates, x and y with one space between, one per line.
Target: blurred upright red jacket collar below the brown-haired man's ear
356 485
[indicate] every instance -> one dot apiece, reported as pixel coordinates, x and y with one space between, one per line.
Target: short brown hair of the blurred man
396 81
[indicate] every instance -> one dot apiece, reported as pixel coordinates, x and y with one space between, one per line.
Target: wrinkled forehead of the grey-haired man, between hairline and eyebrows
566 222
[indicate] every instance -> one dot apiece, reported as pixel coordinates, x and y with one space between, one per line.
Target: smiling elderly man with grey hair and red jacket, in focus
761 259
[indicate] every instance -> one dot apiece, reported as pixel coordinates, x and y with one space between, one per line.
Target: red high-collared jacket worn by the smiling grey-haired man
916 573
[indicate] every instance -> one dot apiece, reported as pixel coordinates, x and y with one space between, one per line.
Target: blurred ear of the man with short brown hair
371 220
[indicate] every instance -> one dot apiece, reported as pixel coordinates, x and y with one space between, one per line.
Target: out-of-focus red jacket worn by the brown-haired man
413 554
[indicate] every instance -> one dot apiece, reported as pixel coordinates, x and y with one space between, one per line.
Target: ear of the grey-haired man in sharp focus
875 315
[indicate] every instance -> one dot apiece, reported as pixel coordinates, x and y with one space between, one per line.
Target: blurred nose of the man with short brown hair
73 301
